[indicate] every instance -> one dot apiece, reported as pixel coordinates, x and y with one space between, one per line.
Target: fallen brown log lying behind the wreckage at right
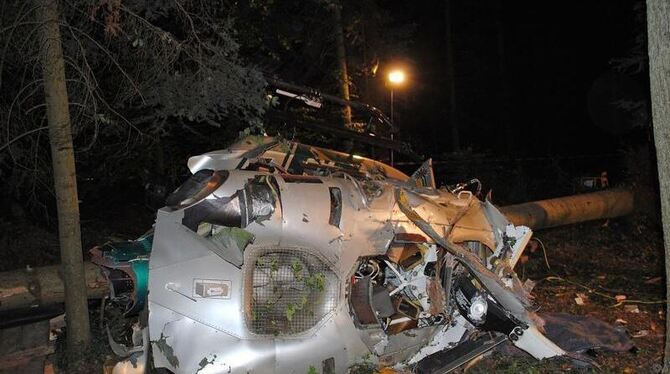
567 210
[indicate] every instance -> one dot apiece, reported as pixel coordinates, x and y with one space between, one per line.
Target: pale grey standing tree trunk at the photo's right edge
658 33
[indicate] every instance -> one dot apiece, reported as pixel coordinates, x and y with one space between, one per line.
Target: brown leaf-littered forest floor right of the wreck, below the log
591 265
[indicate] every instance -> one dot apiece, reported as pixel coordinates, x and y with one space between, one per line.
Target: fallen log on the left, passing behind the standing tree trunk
33 287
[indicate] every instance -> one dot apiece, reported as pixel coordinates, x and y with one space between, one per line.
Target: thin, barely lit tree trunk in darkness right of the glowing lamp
451 76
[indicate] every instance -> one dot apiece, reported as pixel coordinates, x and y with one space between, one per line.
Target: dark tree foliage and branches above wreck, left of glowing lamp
156 82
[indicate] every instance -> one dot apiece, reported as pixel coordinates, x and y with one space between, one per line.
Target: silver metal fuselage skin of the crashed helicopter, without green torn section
203 305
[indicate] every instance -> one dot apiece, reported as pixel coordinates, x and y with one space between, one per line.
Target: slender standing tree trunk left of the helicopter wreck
65 182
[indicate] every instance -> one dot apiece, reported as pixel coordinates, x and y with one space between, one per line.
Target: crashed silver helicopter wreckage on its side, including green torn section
282 257
